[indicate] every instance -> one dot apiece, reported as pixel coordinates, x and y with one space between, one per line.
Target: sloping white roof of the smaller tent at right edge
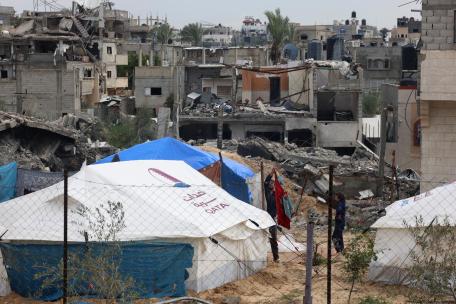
435 205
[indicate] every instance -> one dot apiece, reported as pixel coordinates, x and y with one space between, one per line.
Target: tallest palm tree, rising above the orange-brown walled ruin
281 31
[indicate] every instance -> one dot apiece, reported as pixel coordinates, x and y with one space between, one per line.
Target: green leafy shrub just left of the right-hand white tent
358 255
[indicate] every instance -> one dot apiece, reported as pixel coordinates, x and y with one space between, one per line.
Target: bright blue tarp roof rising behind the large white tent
234 174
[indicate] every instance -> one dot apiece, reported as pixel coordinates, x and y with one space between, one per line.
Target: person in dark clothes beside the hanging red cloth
269 191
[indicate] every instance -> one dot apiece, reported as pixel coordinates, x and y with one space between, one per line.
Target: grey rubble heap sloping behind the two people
310 166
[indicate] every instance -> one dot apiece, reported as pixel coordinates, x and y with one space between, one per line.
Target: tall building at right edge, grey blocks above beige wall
438 93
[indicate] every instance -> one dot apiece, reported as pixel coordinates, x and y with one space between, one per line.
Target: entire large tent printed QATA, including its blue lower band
156 233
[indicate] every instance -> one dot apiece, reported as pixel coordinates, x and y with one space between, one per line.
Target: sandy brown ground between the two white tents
284 282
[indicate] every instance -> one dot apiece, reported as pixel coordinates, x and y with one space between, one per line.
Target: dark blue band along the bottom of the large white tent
158 269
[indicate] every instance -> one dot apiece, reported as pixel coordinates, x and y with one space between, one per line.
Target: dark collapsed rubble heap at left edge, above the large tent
49 146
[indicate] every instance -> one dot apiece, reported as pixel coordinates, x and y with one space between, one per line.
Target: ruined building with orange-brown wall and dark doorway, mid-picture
310 104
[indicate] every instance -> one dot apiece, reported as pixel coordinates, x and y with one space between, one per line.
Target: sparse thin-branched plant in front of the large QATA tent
95 268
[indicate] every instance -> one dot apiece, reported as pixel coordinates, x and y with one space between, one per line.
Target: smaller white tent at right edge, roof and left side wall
394 242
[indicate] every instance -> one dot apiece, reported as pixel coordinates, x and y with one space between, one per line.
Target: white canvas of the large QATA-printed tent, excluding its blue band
162 200
